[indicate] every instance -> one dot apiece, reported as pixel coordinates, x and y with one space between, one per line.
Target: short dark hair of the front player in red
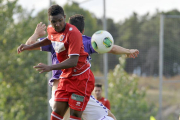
55 10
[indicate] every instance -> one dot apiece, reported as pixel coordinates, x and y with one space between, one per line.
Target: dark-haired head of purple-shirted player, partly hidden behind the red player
78 21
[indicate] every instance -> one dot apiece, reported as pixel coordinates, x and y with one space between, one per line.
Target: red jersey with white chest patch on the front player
66 43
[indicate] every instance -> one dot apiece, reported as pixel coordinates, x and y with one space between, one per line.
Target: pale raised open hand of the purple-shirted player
40 29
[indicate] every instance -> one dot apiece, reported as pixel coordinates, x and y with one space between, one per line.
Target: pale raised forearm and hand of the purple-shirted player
39 32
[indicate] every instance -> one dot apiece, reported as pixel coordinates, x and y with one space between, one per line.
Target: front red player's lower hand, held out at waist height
42 68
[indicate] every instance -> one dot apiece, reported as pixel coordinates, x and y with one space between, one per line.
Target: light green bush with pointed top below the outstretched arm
127 101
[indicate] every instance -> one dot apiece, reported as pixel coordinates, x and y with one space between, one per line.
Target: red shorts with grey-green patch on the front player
76 90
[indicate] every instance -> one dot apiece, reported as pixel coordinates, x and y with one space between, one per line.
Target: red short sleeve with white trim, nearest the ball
75 43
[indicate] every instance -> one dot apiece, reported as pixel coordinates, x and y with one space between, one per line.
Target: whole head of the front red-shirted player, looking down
57 17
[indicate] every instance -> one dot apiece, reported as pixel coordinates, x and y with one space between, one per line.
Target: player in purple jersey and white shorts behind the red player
94 110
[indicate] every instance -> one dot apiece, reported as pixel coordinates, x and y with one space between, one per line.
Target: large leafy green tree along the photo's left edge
20 82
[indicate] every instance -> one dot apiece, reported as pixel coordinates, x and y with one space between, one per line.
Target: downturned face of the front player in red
58 22
